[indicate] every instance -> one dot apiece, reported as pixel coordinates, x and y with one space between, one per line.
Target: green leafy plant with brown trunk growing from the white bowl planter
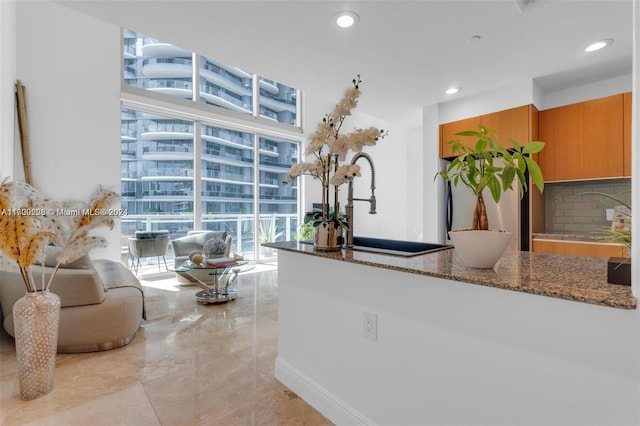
478 168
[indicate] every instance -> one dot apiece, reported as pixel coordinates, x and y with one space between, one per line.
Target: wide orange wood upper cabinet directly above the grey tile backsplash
584 140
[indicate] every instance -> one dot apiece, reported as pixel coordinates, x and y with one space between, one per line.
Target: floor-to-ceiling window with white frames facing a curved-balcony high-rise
183 168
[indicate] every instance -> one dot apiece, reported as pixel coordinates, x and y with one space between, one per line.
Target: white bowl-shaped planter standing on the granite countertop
480 249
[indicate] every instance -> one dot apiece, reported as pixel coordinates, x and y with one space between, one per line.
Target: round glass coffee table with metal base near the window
215 279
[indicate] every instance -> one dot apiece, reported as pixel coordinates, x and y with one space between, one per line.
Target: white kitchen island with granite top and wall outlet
538 339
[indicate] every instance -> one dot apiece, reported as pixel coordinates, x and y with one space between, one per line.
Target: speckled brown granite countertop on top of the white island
580 279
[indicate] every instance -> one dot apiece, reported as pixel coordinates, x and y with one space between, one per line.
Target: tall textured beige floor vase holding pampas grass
36 318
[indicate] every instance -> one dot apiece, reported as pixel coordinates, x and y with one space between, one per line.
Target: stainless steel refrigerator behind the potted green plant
511 214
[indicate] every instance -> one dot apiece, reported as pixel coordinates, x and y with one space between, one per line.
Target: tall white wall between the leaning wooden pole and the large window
70 65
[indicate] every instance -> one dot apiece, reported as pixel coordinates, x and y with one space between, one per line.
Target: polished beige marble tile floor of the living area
189 364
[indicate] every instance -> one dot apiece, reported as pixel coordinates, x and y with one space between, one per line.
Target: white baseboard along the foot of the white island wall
332 407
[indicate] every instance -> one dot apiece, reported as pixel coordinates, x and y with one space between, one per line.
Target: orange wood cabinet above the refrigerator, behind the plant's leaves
518 123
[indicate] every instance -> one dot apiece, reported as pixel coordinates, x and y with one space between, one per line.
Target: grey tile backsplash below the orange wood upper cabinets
569 211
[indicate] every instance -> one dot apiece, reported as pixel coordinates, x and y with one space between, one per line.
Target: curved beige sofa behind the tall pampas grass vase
102 302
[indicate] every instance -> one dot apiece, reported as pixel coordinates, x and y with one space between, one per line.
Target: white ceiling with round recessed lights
408 52
